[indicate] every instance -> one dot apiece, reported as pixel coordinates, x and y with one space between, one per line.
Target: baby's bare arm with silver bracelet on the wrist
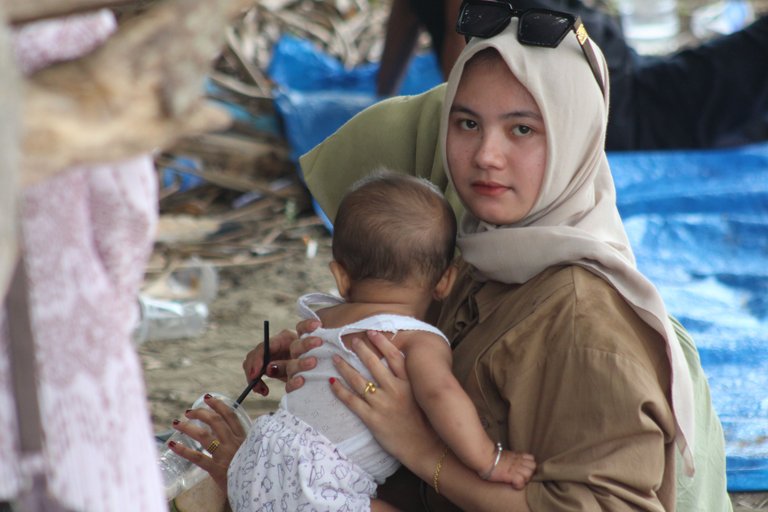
454 416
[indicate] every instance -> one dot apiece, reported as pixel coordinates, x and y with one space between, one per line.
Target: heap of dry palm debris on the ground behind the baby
252 200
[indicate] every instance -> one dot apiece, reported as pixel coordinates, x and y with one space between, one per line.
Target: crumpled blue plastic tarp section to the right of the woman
698 222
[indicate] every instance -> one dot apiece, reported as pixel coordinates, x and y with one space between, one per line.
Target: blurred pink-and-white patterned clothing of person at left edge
88 233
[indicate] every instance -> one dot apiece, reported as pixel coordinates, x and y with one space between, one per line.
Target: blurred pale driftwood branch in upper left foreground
139 91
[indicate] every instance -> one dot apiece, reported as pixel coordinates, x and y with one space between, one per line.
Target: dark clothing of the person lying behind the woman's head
713 95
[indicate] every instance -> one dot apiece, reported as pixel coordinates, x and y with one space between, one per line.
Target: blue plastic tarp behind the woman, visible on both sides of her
698 222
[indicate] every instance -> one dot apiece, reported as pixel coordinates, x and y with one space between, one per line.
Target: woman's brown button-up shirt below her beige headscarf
562 367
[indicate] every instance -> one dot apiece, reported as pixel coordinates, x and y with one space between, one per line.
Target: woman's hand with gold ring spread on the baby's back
390 412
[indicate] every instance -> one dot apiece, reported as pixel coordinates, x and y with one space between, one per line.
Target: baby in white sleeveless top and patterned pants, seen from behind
393 246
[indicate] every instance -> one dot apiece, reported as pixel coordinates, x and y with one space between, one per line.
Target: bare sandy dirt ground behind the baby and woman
178 371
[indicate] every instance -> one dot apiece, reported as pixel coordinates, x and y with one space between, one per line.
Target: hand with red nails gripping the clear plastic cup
225 436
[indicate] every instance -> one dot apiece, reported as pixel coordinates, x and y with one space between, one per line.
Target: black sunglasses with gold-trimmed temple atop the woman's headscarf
537 27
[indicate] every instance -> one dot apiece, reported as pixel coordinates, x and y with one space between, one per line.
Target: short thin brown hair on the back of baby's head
394 227
